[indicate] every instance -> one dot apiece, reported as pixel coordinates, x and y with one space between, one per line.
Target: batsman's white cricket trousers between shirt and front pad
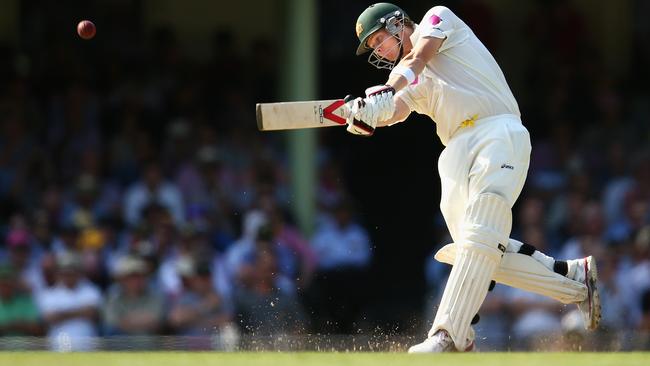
492 156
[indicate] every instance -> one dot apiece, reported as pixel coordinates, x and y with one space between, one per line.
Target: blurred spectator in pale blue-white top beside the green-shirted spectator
70 308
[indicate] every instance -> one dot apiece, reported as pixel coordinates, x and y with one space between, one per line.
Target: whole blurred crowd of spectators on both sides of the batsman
137 197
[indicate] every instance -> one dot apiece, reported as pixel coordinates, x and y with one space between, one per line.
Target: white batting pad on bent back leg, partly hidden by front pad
524 272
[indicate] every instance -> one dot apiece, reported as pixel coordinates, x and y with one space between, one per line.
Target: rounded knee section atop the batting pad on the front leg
487 224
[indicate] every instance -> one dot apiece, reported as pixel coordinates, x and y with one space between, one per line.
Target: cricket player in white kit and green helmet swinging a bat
441 69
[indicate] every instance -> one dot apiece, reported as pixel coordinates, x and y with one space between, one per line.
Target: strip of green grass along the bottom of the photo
325 359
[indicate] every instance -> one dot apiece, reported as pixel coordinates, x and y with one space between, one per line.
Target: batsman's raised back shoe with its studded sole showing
587 273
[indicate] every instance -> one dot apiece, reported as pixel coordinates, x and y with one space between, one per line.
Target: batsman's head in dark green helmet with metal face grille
380 30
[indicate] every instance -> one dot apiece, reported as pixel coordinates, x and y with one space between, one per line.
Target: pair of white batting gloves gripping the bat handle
377 106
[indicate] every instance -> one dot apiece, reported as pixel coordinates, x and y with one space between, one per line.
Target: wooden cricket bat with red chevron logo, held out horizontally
296 115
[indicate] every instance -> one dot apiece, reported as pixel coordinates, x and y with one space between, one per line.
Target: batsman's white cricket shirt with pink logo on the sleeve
462 82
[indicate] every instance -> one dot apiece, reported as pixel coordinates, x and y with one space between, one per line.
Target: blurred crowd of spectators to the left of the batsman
139 199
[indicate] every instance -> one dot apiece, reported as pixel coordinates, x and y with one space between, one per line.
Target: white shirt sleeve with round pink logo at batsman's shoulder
440 22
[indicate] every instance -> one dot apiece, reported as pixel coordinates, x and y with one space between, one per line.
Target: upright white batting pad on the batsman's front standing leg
485 232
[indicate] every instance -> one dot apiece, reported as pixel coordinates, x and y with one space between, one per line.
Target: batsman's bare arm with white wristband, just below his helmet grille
415 61
